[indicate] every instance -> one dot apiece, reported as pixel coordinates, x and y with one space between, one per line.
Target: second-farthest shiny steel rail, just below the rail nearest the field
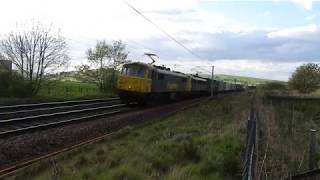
55 108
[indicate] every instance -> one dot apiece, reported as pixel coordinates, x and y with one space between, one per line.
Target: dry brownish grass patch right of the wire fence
285 137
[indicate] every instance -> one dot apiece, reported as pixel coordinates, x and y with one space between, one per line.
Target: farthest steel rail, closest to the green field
54 103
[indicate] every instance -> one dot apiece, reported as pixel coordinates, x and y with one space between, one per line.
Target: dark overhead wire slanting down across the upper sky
162 30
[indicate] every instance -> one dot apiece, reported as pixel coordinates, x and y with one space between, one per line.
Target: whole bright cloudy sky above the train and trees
264 39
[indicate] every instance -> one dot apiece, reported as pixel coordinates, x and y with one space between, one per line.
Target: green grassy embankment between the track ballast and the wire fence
205 142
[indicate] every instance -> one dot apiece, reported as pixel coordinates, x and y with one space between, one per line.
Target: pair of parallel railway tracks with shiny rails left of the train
21 118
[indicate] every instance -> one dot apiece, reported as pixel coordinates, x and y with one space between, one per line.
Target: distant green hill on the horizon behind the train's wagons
240 79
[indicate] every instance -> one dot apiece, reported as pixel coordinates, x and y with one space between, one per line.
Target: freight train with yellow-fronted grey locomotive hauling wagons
143 83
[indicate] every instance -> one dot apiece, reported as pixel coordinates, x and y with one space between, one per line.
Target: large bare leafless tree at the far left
34 51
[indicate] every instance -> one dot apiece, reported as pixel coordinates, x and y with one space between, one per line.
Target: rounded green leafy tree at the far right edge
306 78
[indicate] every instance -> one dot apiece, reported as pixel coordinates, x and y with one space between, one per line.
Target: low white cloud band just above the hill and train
240 67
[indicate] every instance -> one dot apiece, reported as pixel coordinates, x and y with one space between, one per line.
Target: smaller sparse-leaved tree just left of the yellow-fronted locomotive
105 60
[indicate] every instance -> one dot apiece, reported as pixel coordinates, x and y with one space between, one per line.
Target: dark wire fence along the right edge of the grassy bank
248 172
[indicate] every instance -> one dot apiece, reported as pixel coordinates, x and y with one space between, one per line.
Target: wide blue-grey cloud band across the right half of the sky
283 45
